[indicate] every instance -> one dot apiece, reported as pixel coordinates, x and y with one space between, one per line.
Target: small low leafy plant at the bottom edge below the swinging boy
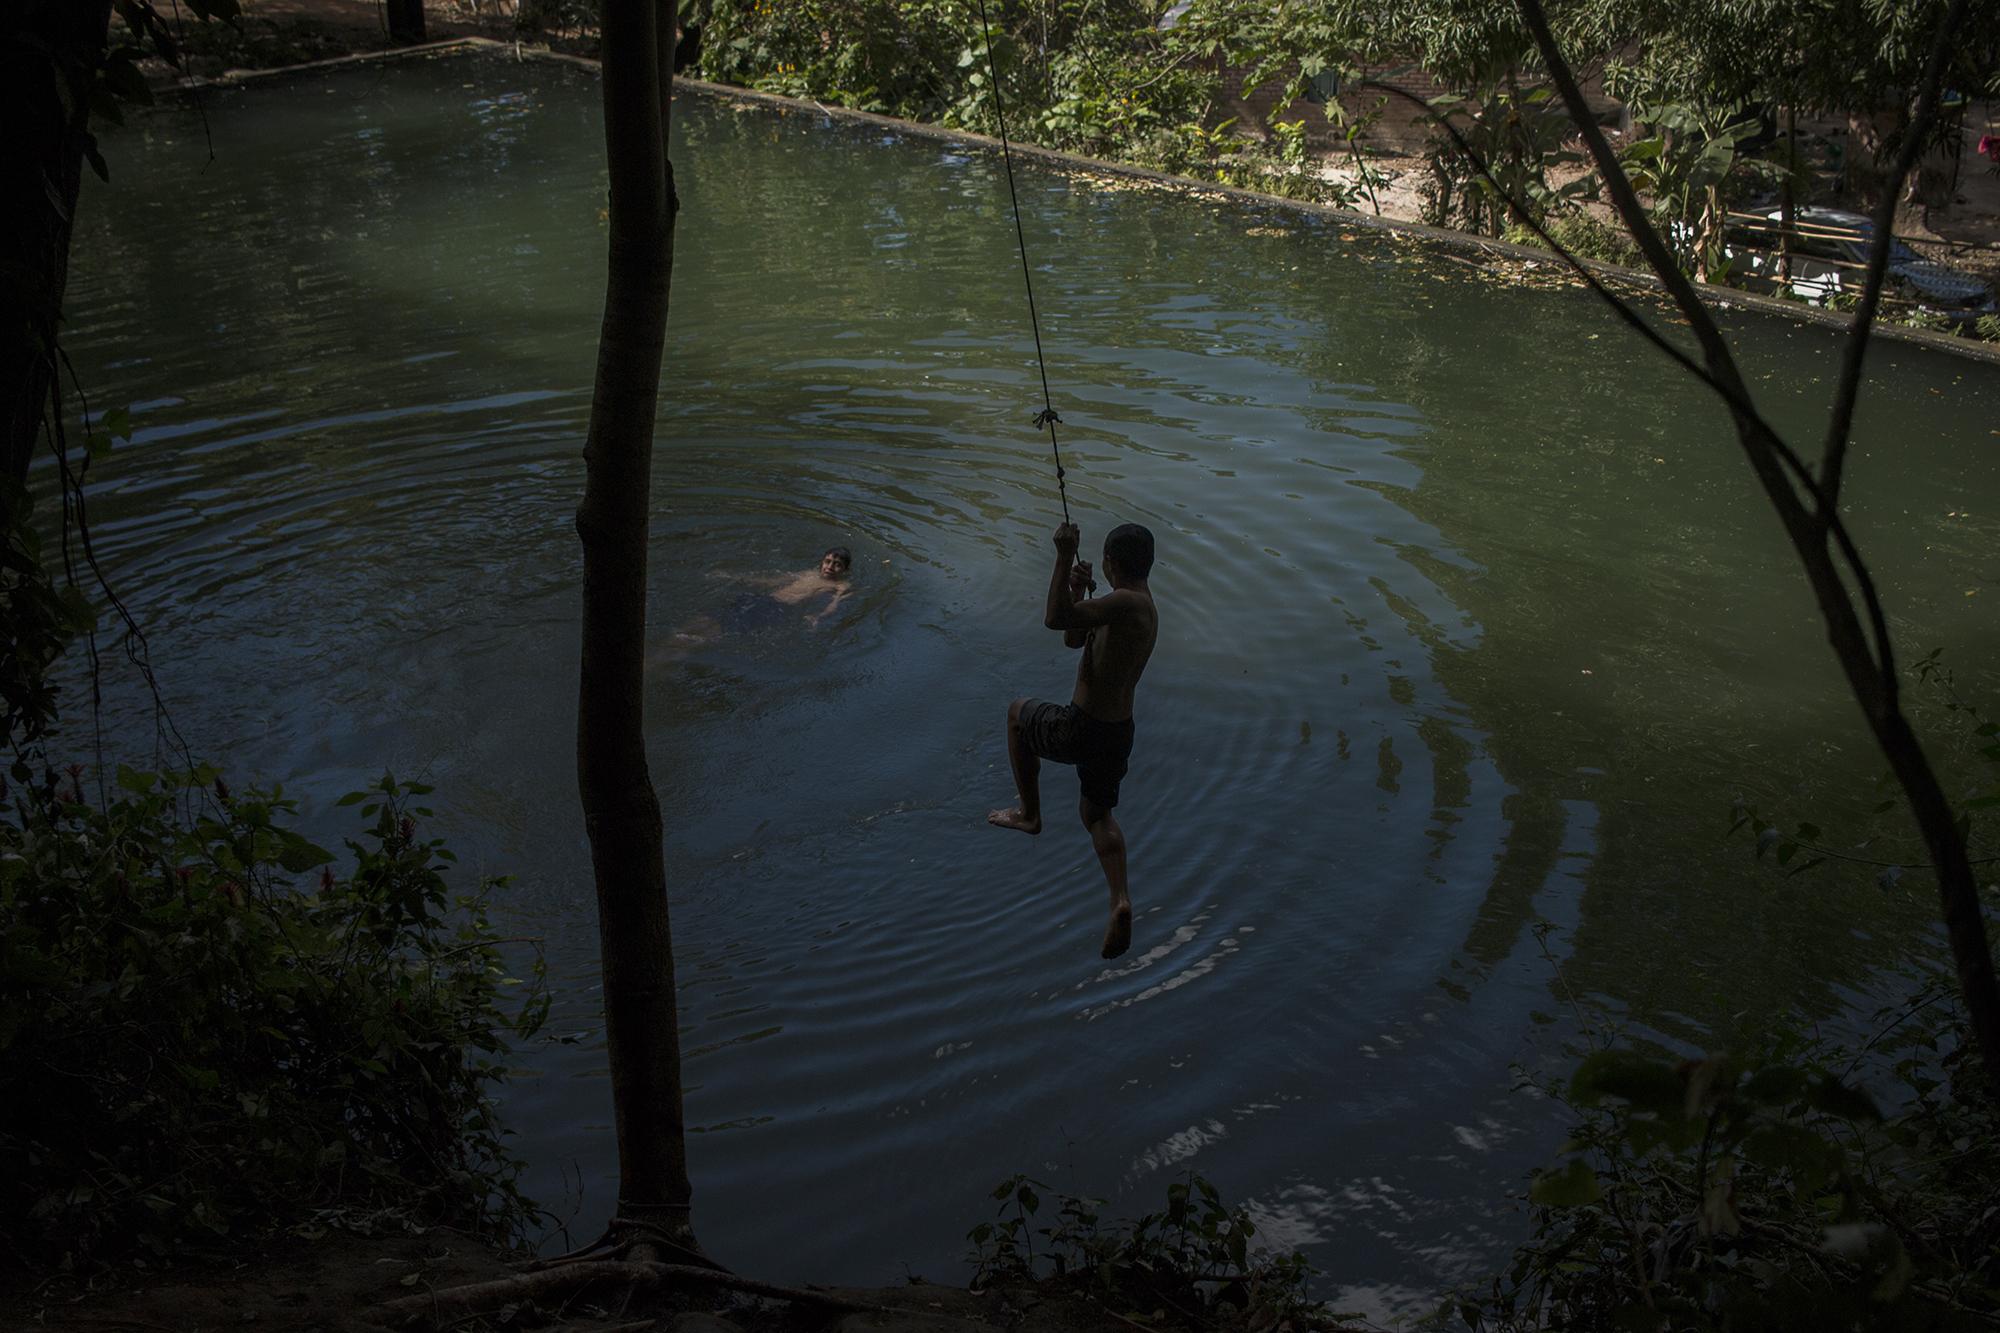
1193 1260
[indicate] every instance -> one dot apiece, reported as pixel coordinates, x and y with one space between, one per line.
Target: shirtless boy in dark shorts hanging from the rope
1095 730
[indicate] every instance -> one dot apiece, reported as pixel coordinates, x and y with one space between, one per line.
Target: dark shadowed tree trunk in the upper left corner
49 57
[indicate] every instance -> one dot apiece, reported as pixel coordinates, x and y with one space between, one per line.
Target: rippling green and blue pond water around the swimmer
1471 621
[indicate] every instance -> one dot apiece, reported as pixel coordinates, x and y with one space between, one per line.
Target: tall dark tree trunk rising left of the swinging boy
621 810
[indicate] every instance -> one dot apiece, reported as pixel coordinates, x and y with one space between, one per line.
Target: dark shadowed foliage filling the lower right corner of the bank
1767 1192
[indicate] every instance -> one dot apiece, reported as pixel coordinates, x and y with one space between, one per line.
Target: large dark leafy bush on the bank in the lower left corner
199 1034
